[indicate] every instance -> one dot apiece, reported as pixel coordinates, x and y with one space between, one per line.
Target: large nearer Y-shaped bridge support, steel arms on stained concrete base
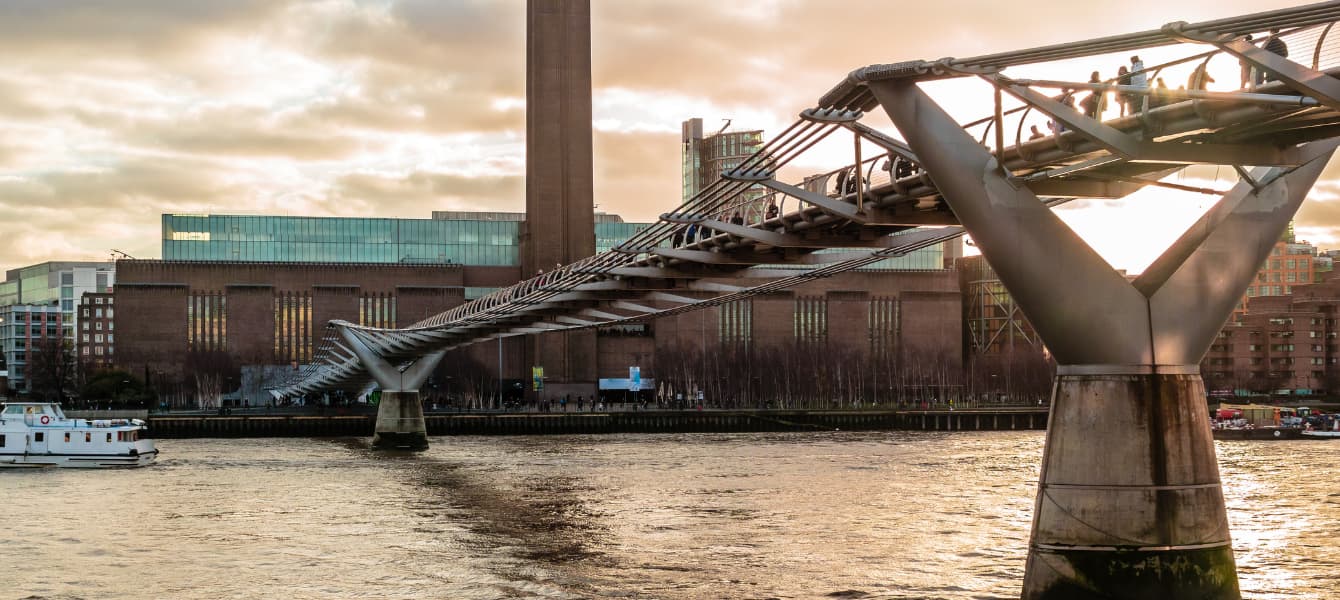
1129 476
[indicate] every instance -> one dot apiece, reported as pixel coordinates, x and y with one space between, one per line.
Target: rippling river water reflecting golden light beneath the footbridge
735 516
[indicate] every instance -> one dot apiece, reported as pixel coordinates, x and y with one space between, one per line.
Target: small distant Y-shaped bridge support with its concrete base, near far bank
400 415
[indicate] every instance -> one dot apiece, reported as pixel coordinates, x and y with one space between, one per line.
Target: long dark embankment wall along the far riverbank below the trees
653 421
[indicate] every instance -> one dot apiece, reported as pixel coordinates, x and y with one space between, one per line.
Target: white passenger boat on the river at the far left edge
36 435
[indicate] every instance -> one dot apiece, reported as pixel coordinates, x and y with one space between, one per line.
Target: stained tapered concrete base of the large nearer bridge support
1130 504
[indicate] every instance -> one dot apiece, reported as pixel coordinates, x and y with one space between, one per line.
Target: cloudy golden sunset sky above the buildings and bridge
116 113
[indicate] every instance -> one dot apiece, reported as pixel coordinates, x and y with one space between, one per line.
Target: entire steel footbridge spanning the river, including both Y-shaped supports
1130 502
